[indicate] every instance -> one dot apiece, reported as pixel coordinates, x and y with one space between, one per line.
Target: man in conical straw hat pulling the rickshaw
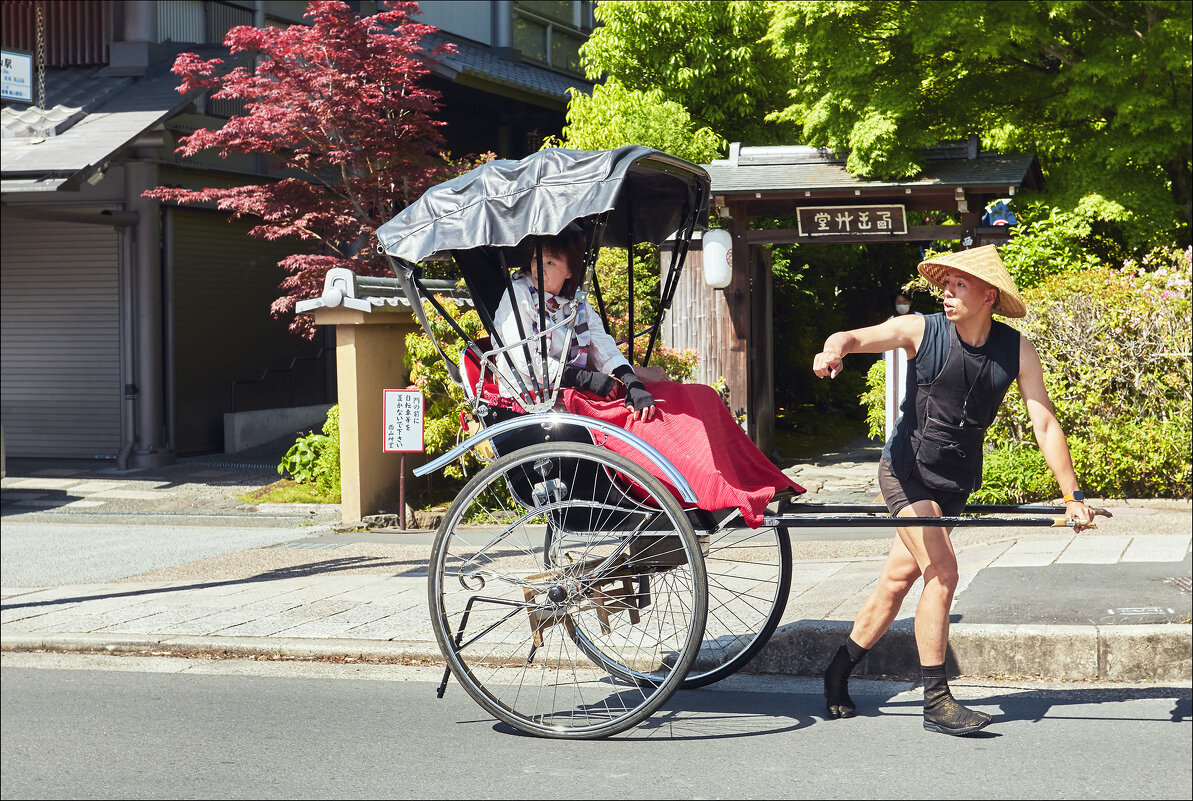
962 362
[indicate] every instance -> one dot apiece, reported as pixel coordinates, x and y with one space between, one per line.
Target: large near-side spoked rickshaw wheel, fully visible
510 620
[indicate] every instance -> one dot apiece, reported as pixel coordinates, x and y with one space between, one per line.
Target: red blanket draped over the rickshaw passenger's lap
697 434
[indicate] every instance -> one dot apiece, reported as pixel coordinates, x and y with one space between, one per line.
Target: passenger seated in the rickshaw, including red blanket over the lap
689 424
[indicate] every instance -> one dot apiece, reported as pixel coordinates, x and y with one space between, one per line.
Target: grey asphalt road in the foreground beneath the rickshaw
98 726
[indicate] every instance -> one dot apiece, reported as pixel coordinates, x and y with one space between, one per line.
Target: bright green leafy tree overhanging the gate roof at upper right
1099 89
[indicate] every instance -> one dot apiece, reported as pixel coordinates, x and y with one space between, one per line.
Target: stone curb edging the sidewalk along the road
1118 654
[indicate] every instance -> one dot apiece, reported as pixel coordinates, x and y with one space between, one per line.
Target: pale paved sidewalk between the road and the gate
1108 605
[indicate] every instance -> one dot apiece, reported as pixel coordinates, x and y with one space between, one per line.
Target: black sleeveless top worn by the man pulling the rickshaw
954 393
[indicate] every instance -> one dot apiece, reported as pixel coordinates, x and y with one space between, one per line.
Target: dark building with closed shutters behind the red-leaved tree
131 330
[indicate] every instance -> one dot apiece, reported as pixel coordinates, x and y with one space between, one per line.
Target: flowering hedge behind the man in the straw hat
1115 346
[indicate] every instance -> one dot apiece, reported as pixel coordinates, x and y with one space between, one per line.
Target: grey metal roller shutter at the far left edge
61 348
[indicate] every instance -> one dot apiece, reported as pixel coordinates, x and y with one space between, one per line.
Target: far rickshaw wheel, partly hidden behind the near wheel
750 581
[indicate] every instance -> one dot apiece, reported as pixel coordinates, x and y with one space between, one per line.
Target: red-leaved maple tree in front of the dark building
341 109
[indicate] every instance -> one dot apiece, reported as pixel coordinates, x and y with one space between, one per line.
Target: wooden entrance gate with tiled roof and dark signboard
733 329
